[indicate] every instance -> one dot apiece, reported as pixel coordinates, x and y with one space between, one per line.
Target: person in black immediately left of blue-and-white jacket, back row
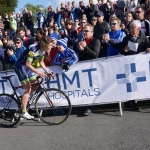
31 22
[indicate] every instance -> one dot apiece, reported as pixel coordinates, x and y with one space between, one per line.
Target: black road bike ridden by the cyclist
52 105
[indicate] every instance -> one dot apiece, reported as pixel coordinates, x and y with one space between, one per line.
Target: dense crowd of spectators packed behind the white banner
92 31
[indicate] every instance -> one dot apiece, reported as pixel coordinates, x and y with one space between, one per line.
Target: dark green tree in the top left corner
7 6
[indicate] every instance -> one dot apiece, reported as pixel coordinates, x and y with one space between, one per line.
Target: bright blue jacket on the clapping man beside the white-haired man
116 37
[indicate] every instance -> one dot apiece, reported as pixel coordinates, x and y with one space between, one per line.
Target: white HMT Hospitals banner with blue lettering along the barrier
114 79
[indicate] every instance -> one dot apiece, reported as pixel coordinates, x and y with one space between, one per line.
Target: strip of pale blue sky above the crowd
45 3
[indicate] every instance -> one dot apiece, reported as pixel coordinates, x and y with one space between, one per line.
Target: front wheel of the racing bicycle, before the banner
54 109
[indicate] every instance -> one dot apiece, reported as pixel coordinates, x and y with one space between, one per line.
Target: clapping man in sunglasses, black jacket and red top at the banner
88 49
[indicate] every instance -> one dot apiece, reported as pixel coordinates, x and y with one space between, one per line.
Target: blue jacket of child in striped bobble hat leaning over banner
68 55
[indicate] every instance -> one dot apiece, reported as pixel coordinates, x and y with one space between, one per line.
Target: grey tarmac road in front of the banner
99 131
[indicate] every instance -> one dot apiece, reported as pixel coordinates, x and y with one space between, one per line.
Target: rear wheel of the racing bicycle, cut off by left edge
9 111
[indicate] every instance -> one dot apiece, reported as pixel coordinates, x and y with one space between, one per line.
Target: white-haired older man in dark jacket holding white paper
135 36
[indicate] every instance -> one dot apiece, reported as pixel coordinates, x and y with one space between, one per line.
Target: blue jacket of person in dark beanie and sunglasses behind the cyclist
17 55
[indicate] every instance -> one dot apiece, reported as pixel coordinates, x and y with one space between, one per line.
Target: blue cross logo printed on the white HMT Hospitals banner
130 69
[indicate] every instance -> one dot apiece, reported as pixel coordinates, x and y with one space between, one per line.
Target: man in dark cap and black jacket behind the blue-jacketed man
101 28
